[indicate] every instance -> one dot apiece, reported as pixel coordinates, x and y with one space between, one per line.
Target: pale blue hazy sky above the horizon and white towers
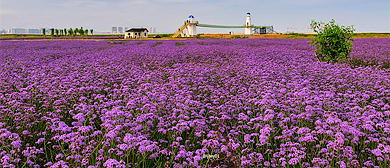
168 15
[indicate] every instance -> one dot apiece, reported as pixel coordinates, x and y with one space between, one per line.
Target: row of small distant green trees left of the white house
68 32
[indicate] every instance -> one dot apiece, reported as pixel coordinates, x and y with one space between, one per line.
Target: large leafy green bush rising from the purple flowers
333 43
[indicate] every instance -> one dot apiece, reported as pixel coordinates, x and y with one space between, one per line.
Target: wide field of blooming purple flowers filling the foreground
206 103
